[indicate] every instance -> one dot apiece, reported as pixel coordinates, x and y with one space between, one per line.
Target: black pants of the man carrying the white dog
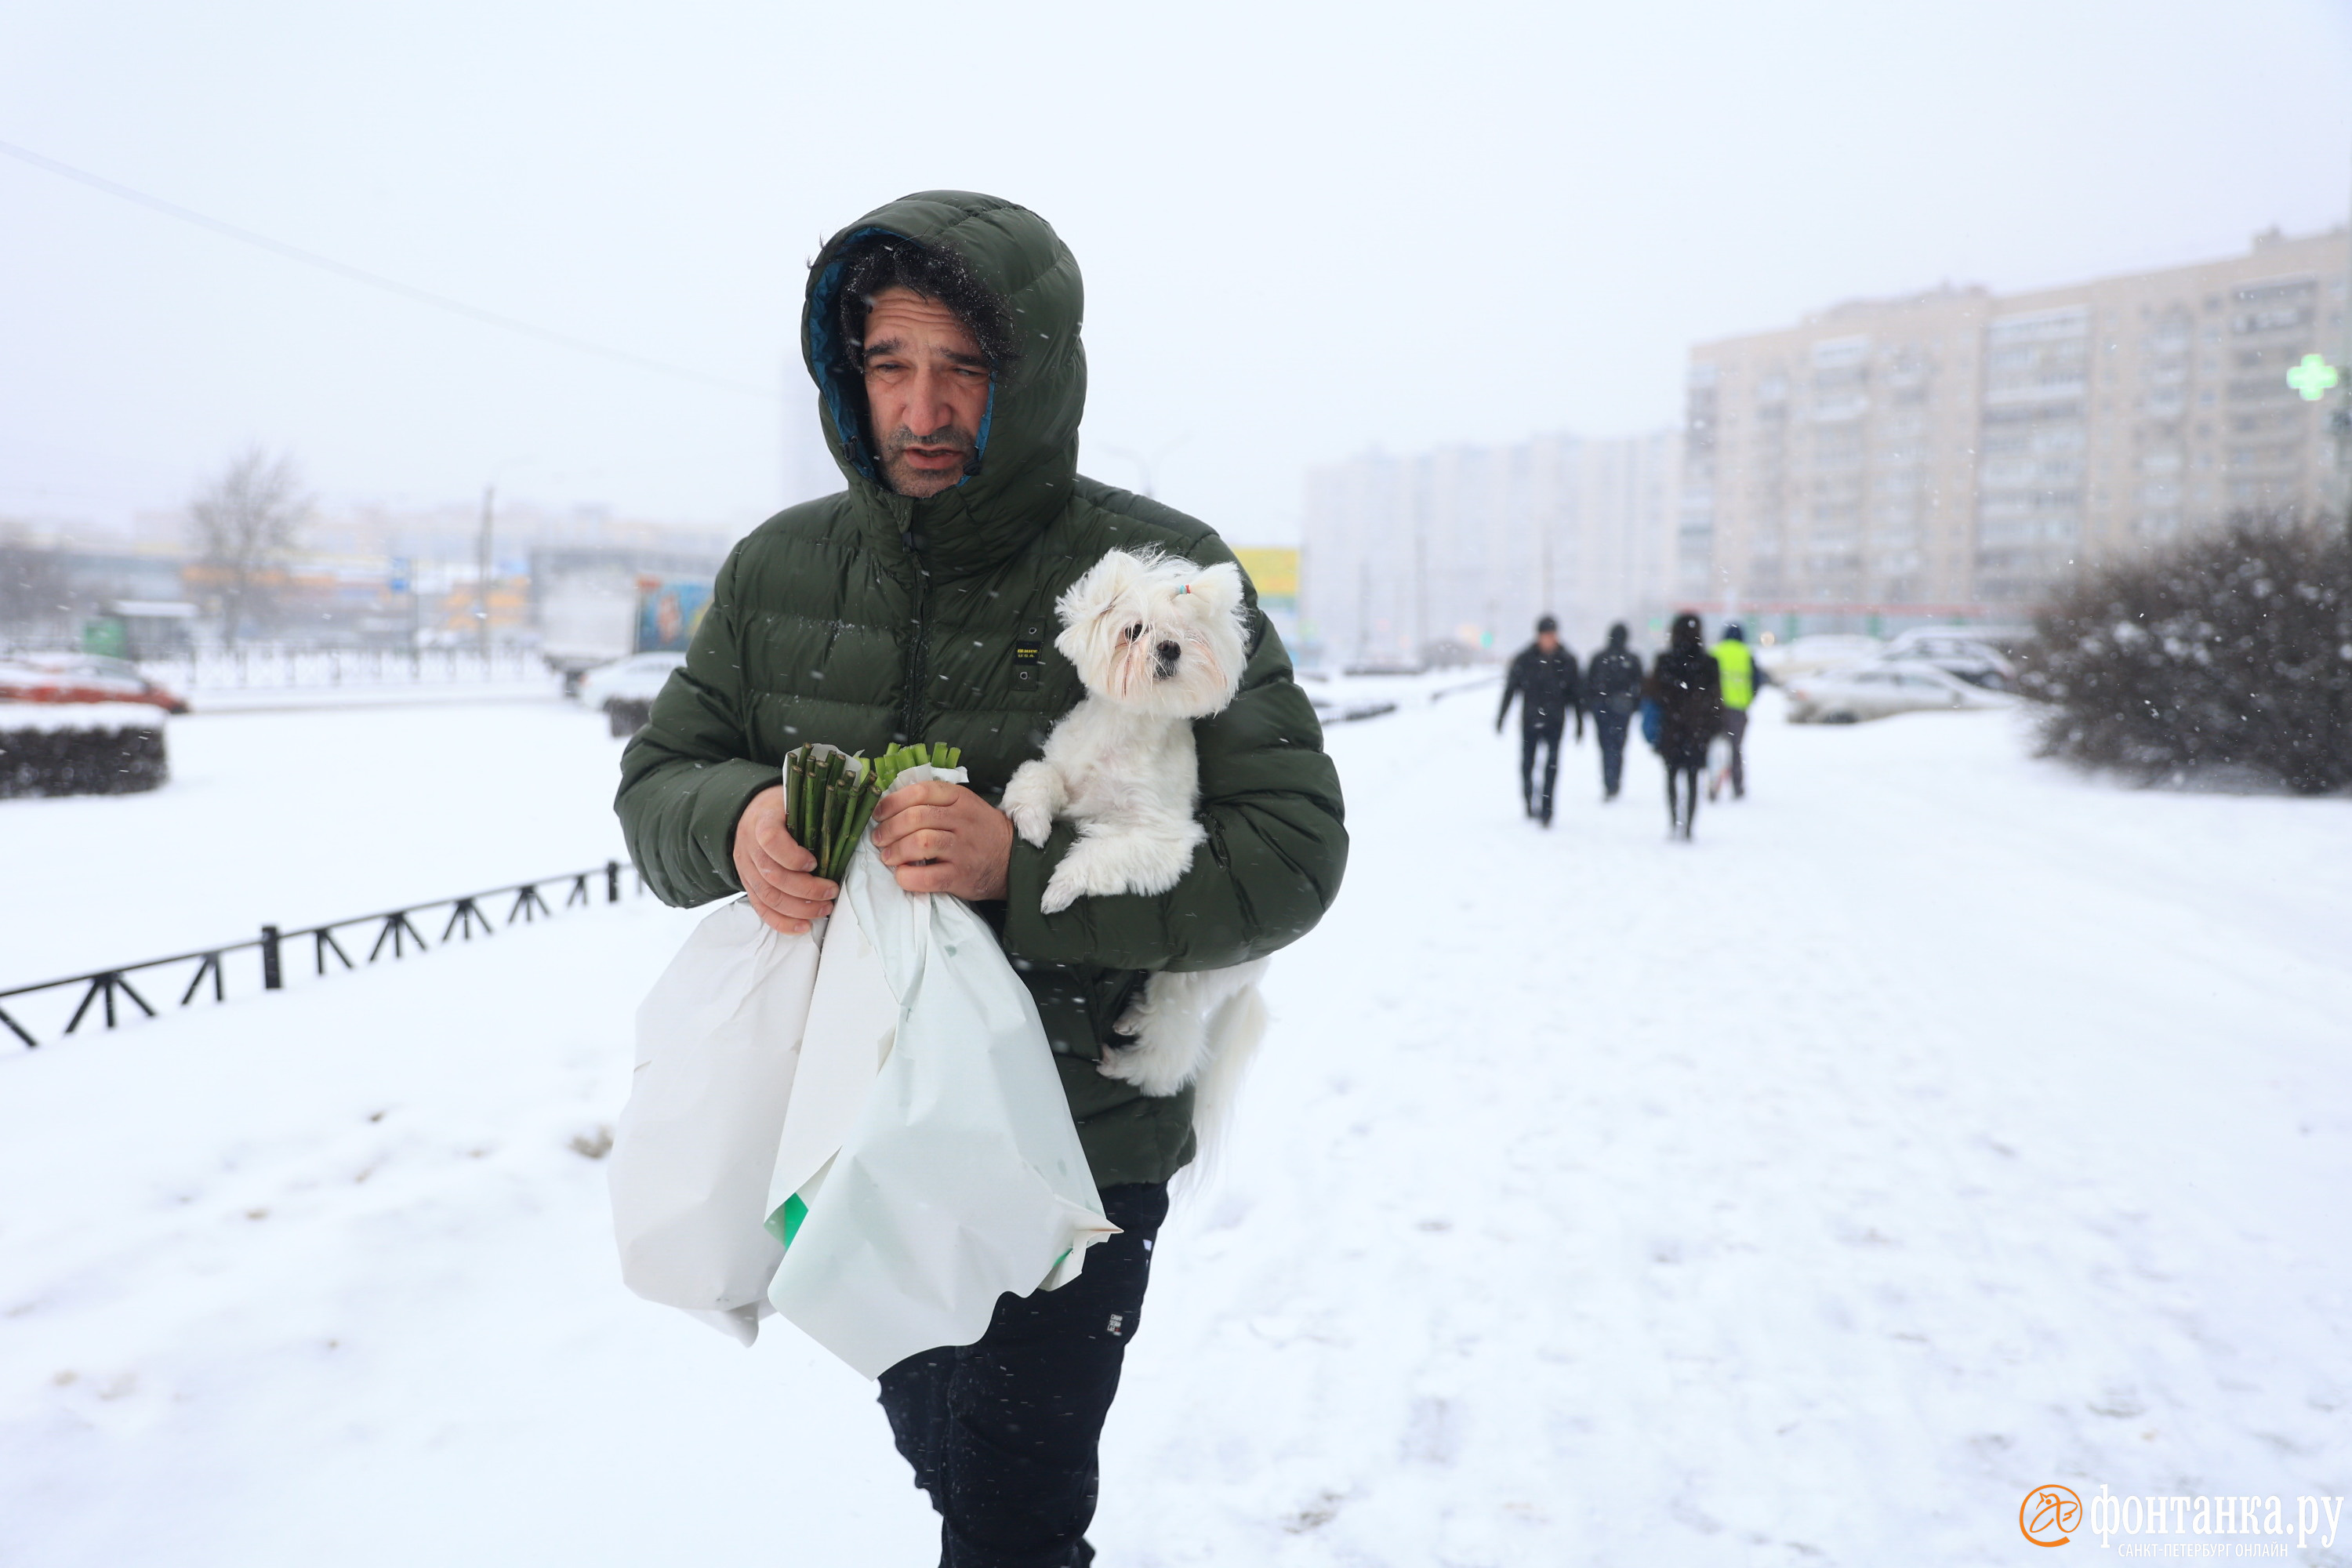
1003 1433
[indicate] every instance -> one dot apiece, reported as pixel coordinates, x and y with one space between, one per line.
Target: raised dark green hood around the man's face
1029 436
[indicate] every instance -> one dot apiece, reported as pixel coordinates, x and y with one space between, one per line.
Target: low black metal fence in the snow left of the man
112 996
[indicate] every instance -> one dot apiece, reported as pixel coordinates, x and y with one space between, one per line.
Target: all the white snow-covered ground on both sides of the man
1935 1127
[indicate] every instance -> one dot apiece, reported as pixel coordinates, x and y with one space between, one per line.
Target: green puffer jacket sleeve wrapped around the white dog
1278 847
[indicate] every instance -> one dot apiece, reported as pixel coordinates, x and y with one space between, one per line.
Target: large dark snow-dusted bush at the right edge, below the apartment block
2231 650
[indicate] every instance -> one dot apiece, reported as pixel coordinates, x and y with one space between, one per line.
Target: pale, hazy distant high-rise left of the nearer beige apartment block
1462 549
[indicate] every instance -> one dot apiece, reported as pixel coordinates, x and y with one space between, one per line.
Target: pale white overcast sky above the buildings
1307 229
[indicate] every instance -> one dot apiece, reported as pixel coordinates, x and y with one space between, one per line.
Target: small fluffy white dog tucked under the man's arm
1158 643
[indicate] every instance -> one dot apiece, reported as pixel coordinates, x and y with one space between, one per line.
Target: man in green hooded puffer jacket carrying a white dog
918 605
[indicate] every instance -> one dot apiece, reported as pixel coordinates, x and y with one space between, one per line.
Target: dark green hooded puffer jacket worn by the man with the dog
869 617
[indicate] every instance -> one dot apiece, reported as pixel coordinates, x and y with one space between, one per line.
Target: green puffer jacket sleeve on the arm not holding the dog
688 775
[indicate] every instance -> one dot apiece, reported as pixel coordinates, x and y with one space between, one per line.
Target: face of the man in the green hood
926 391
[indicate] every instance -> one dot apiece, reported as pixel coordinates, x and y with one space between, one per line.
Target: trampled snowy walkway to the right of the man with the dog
1930 1130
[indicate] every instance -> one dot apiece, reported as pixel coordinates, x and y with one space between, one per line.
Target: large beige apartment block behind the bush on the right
1953 455
